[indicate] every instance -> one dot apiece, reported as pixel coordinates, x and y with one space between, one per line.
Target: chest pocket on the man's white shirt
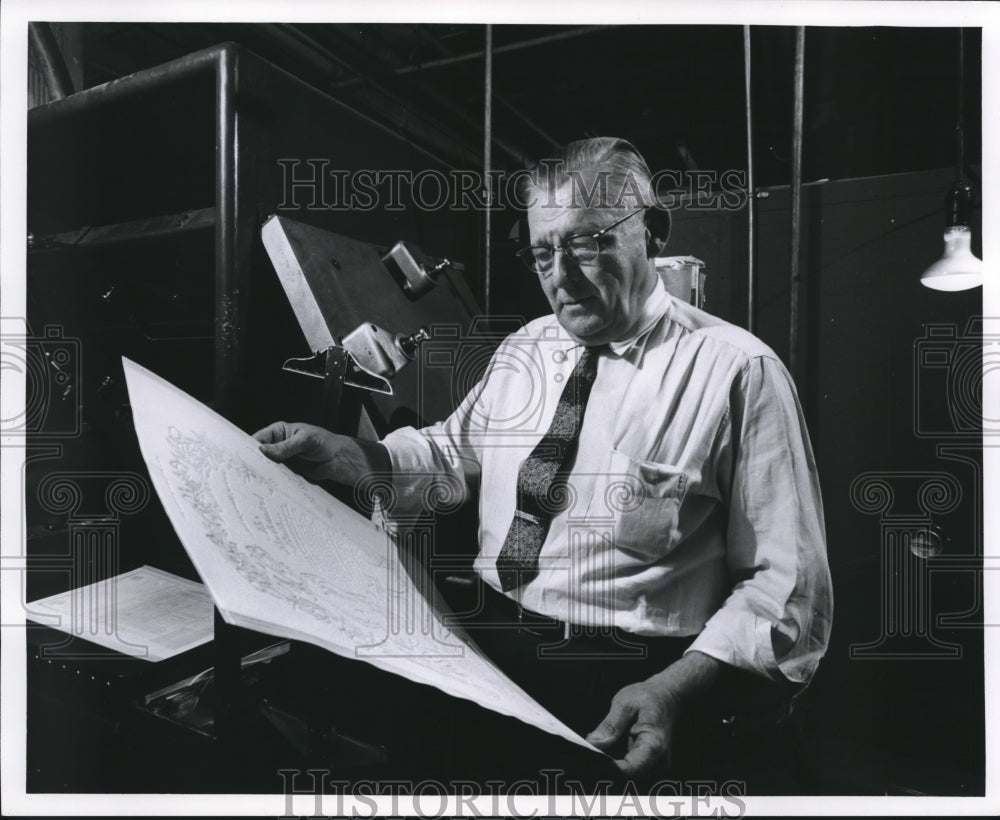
640 505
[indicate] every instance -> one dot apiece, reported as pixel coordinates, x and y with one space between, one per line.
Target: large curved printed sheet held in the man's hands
281 556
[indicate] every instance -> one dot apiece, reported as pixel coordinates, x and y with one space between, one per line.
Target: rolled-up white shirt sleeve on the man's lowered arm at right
776 621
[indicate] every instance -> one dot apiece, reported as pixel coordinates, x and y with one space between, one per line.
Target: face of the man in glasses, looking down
601 301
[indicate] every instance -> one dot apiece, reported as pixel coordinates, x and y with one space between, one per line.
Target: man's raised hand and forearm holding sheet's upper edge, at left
320 455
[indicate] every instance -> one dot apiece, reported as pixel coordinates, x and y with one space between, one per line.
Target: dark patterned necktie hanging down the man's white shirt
539 491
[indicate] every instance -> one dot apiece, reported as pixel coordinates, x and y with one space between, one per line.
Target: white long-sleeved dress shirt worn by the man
693 504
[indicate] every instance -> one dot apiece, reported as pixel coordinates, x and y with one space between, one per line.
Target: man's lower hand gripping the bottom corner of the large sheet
645 713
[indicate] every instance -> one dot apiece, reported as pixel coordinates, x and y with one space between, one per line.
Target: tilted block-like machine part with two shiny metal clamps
345 293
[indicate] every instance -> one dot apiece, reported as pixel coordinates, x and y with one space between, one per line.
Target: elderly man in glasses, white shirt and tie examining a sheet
650 512
